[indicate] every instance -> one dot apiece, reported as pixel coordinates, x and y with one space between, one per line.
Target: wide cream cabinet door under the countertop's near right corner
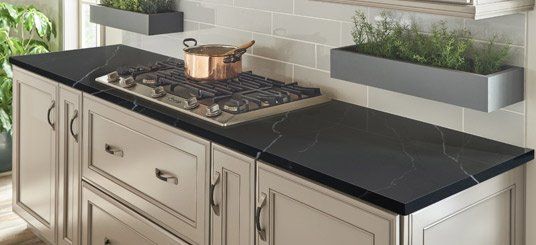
292 211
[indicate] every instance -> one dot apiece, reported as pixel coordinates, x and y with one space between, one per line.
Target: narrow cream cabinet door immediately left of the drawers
69 165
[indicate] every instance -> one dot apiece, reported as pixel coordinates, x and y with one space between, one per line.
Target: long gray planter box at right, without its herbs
480 92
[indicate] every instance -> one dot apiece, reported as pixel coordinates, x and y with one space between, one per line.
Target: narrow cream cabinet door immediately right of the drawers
232 198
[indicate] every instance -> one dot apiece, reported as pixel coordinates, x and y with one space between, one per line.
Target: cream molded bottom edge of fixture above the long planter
472 9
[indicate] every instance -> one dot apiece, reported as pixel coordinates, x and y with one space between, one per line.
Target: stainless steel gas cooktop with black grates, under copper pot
225 103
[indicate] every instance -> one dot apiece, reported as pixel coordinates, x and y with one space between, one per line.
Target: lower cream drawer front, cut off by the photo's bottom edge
105 221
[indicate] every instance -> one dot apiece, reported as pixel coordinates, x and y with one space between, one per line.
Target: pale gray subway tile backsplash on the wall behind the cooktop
294 38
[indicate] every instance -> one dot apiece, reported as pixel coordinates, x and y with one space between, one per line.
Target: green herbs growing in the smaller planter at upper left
141 6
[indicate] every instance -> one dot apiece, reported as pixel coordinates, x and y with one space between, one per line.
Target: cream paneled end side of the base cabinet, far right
491 213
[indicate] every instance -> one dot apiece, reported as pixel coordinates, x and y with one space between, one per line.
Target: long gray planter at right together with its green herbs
442 64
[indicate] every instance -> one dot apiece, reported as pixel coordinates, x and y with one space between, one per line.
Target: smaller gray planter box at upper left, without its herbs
148 24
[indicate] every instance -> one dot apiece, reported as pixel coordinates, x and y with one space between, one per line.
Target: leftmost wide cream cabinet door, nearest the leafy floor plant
35 157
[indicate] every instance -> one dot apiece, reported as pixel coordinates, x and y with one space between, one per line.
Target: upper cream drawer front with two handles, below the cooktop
134 159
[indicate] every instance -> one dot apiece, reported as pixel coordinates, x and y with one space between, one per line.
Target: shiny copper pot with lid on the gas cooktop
213 62
